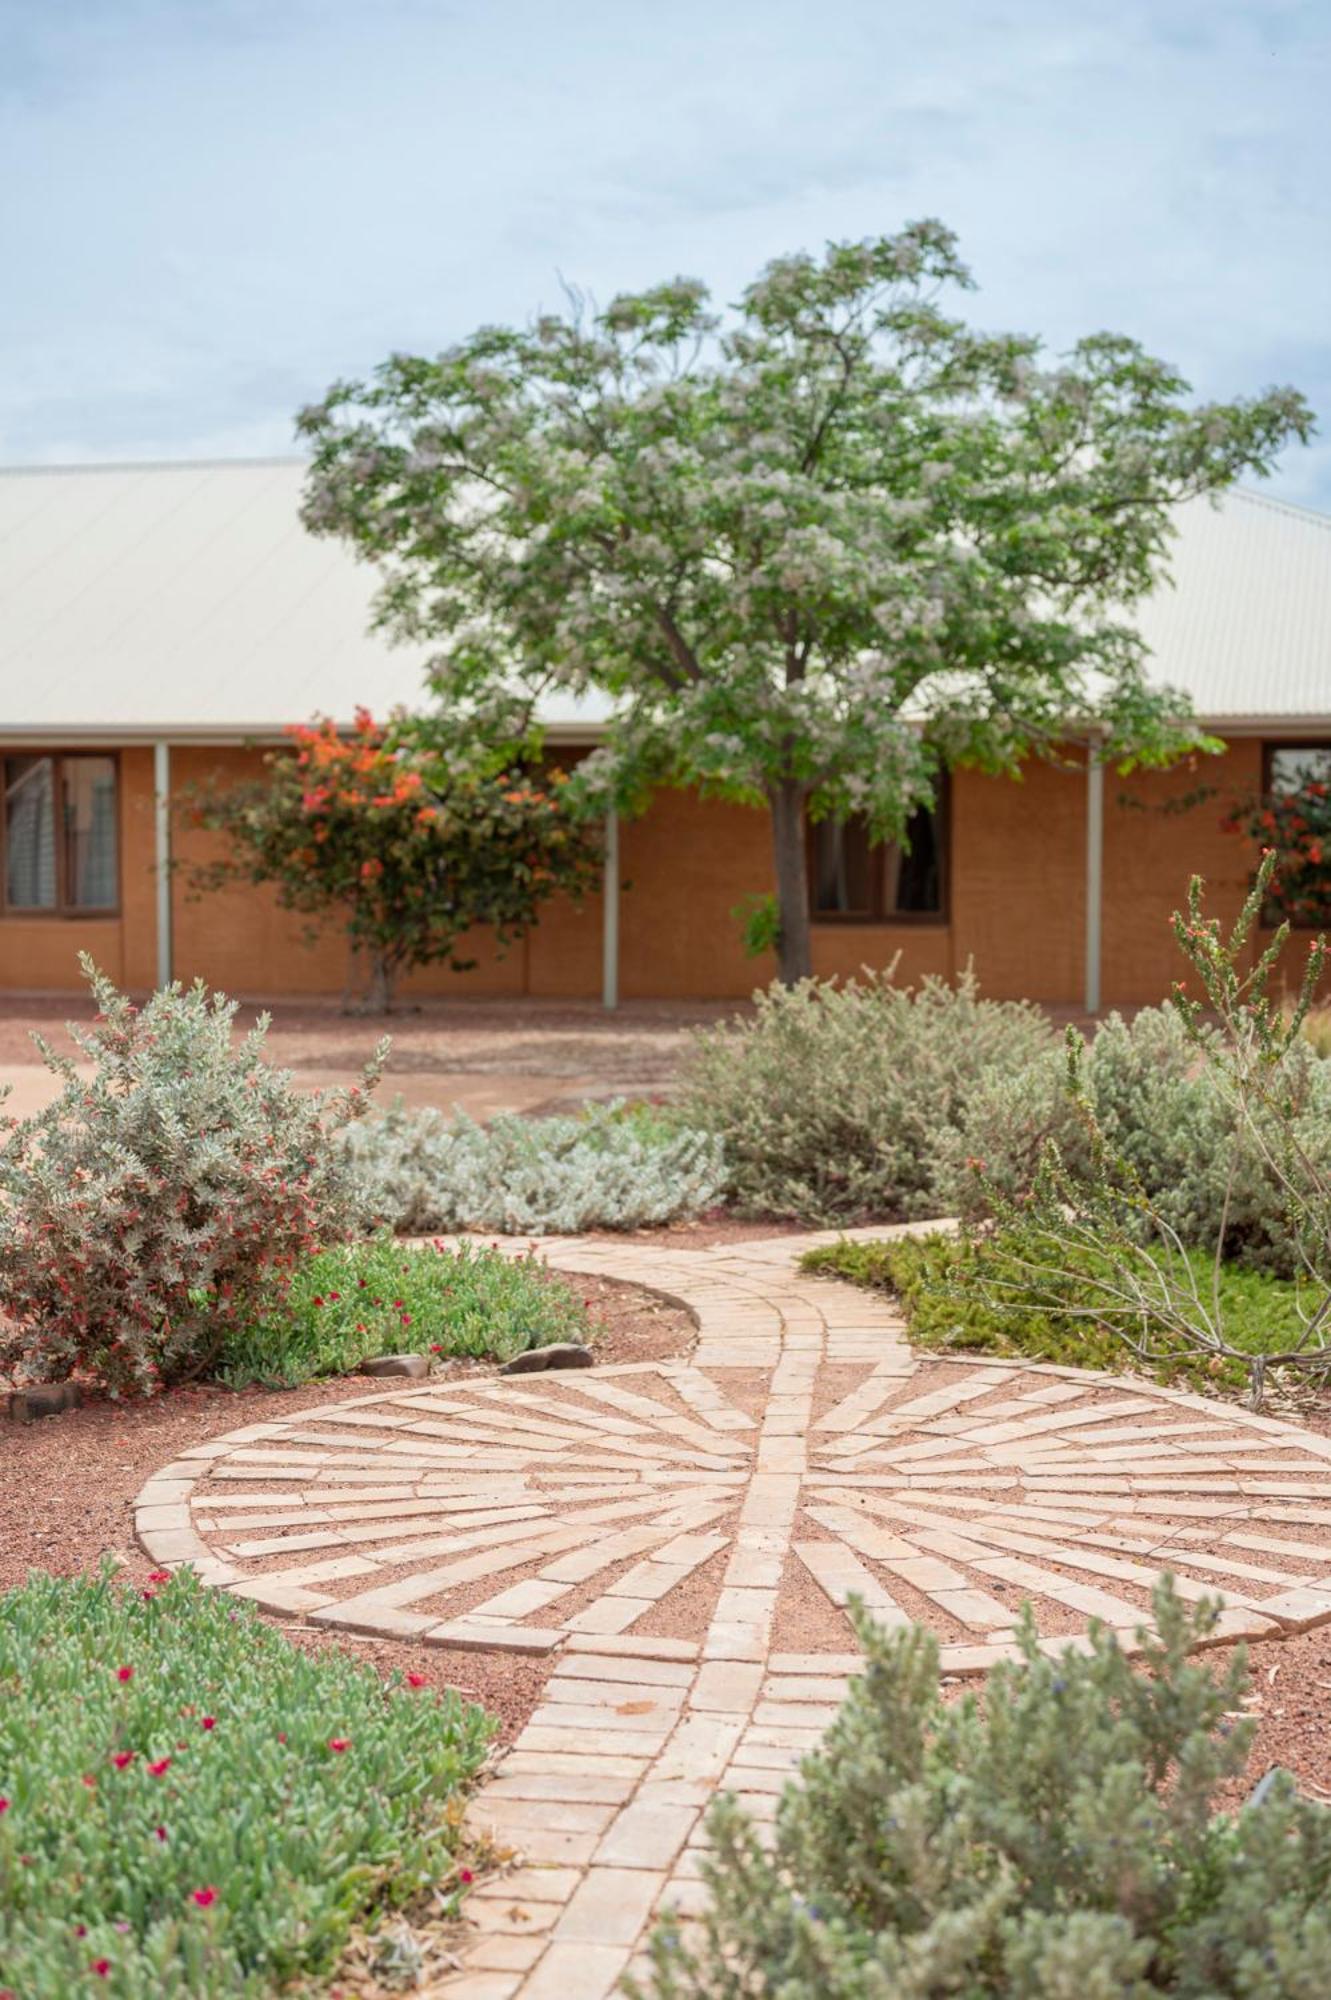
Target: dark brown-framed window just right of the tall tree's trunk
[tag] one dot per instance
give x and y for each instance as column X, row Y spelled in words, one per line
column 860, row 881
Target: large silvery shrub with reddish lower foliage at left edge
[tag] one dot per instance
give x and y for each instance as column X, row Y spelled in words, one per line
column 151, row 1205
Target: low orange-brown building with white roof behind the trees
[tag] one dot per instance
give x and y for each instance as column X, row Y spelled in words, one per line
column 161, row 623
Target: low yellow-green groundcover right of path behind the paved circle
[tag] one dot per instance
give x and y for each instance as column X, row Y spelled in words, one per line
column 948, row 1291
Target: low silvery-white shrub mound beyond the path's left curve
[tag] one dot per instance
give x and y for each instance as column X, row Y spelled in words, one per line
column 613, row 1167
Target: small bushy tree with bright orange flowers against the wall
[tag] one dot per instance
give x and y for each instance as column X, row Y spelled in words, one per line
column 407, row 839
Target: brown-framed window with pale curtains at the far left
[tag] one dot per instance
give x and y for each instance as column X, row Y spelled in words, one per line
column 61, row 835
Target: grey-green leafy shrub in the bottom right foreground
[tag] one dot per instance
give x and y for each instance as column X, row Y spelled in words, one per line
column 1056, row 1841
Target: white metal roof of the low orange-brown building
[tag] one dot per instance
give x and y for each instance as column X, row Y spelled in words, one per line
column 187, row 601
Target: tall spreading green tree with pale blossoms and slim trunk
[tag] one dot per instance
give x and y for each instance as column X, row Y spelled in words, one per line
column 814, row 551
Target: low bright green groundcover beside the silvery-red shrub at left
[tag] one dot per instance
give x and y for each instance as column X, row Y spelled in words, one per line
column 385, row 1297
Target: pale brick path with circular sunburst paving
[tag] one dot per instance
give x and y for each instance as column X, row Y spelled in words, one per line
column 680, row 1537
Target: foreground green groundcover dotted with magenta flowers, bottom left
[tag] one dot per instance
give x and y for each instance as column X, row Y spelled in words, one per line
column 193, row 1807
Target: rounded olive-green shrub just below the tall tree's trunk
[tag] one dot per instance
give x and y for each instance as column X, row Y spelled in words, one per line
column 832, row 1099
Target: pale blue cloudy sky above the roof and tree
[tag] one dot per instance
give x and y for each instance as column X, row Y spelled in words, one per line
column 213, row 209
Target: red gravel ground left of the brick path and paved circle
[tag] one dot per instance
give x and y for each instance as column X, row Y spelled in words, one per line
column 71, row 1485
